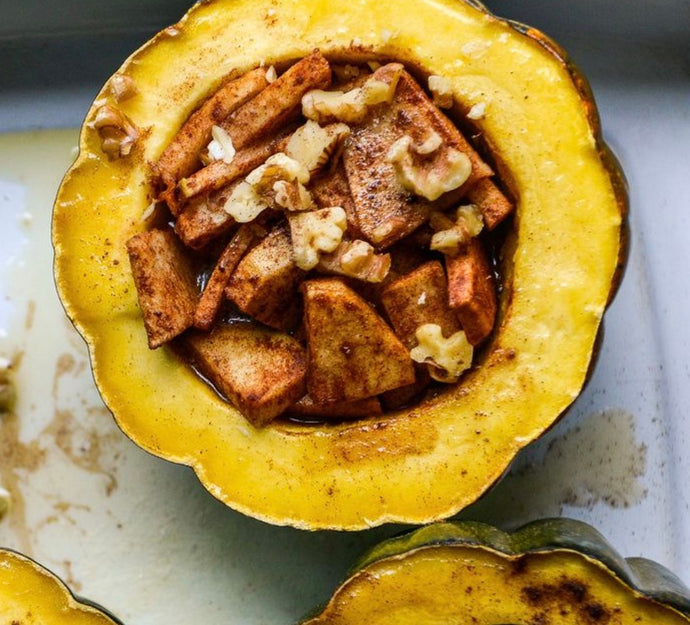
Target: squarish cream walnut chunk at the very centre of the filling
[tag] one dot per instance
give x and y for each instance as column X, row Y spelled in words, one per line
column 315, row 232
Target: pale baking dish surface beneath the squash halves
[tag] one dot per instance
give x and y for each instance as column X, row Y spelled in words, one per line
column 142, row 537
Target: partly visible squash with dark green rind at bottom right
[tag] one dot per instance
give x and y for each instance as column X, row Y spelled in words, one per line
column 551, row 571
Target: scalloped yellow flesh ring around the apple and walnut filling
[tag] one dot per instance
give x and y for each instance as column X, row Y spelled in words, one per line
column 560, row 262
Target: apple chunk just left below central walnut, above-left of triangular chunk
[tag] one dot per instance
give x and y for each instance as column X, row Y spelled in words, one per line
column 265, row 283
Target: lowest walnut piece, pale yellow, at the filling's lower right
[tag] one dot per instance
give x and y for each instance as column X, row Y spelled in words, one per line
column 447, row 357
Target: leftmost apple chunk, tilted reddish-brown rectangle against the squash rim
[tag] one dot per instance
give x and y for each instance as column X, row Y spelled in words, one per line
column 165, row 284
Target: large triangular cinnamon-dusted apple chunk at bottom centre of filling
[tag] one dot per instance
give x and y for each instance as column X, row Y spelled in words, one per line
column 353, row 353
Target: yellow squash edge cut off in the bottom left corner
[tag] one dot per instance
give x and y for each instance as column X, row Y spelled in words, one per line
column 29, row 593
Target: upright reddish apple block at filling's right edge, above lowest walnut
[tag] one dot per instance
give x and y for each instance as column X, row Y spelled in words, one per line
column 472, row 291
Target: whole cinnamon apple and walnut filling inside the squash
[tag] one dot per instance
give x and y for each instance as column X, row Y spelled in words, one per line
column 343, row 214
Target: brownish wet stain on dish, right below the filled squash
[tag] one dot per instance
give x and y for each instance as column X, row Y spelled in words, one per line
column 598, row 461
